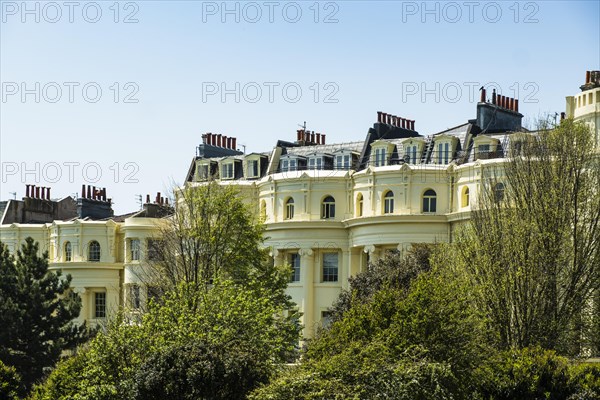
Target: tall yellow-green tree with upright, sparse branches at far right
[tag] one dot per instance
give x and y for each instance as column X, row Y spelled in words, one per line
column 532, row 248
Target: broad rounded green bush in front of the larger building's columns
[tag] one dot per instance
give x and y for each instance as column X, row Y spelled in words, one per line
column 418, row 338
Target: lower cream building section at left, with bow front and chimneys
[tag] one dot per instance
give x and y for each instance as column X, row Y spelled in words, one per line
column 102, row 252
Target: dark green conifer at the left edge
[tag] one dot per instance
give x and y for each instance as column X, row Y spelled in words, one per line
column 36, row 312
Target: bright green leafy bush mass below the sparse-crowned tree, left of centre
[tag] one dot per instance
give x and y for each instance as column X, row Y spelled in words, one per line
column 229, row 337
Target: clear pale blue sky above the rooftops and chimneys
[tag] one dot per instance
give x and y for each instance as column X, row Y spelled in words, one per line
column 117, row 94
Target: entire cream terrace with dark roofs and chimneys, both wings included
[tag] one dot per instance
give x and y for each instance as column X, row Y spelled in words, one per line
column 329, row 209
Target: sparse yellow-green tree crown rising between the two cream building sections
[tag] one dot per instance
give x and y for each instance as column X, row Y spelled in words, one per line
column 213, row 233
